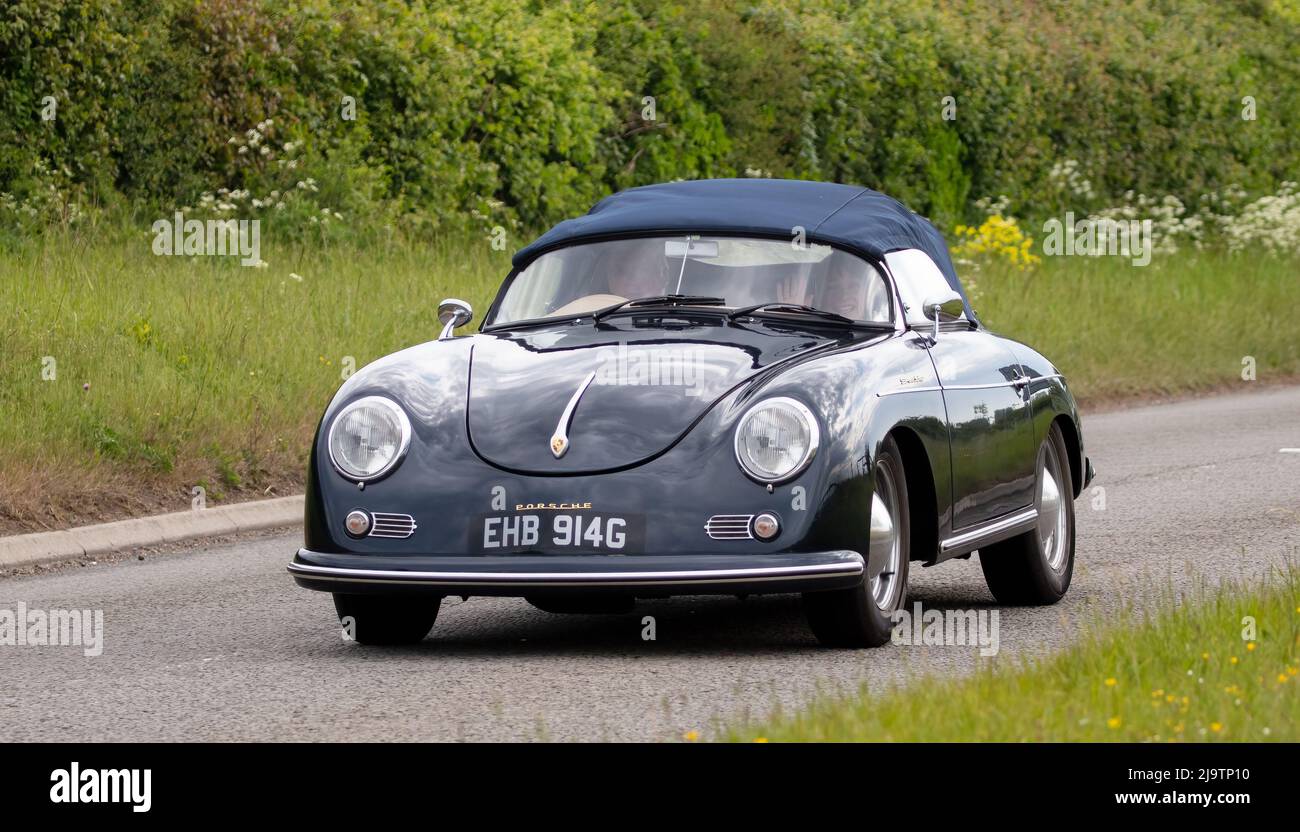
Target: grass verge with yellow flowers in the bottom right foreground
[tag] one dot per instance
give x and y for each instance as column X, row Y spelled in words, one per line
column 1181, row 671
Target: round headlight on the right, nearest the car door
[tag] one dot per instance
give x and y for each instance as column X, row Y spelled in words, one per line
column 775, row 440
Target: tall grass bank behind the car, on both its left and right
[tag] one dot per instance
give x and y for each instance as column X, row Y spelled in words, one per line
column 174, row 372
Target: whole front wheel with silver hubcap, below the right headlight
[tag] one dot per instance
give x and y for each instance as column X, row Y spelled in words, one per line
column 864, row 617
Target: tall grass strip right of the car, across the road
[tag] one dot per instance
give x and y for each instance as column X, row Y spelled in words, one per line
column 1181, row 324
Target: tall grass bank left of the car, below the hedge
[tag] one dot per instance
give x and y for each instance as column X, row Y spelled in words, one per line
column 172, row 372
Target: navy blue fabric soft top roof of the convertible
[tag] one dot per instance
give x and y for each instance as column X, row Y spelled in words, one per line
column 851, row 218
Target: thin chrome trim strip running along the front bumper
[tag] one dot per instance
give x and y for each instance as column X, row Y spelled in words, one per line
column 580, row 579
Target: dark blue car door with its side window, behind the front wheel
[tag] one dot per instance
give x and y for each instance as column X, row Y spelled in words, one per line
column 991, row 432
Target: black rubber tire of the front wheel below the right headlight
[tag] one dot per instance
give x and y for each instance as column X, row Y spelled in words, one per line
column 852, row 618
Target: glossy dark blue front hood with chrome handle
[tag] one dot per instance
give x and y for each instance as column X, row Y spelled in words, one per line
column 648, row 387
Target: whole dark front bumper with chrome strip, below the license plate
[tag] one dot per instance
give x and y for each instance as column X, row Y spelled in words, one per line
column 540, row 575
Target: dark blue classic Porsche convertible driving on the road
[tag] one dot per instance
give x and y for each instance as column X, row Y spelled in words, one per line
column 704, row 388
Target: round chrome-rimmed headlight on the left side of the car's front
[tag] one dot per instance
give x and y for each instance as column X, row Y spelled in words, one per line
column 369, row 439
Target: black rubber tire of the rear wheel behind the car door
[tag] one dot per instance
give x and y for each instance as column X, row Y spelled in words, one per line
column 1020, row 571
